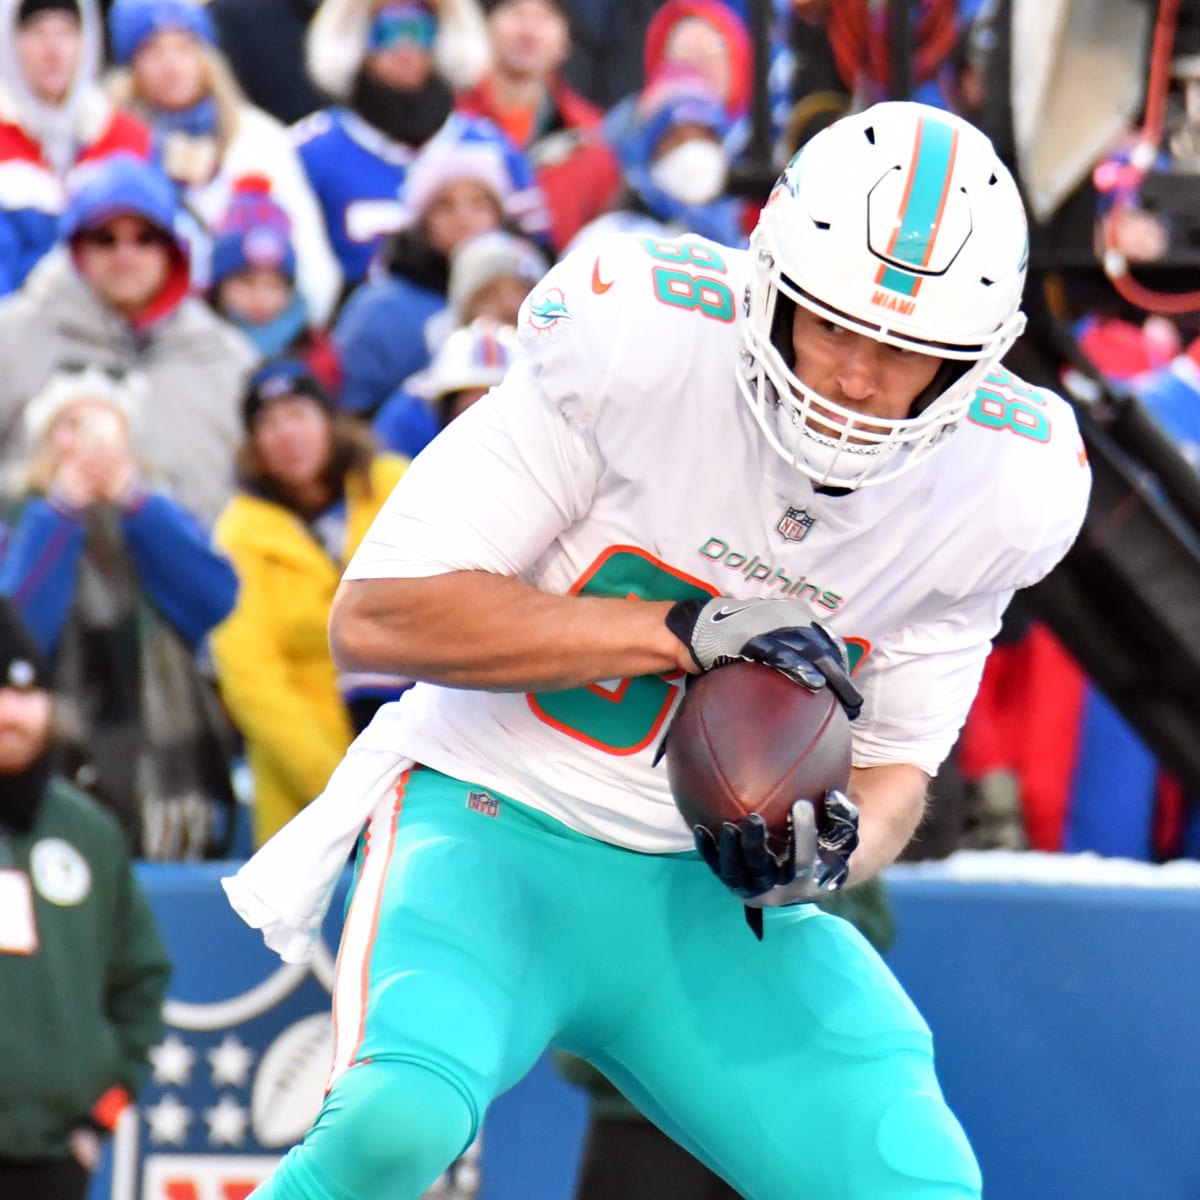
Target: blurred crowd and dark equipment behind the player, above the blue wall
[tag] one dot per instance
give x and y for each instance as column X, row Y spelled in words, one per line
column 256, row 254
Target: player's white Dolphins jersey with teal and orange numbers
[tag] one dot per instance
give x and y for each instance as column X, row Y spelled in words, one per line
column 620, row 459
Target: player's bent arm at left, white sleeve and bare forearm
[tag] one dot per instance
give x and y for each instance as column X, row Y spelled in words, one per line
column 441, row 589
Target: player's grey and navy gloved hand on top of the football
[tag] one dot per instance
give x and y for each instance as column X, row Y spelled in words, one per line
column 779, row 633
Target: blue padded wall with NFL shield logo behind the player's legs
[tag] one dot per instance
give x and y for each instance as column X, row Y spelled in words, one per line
column 1065, row 1016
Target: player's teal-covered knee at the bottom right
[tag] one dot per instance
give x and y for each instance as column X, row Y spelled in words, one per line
column 923, row 1153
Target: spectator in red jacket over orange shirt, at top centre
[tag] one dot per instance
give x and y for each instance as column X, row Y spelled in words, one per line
column 560, row 131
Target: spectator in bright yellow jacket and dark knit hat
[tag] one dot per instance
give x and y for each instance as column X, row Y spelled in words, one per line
column 310, row 484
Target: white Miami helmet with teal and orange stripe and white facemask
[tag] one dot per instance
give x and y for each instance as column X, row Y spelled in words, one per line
column 902, row 224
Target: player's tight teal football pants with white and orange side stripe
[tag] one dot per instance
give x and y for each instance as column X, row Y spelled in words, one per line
column 481, row 932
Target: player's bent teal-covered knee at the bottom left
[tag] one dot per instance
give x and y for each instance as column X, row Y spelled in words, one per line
column 399, row 1126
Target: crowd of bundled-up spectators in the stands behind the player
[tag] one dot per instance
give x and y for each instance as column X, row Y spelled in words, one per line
column 255, row 255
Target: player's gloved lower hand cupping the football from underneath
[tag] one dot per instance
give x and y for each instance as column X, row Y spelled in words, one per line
column 813, row 863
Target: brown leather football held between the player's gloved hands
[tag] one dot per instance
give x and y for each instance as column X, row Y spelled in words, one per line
column 747, row 740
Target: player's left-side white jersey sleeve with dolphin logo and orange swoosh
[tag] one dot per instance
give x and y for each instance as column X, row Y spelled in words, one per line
column 496, row 489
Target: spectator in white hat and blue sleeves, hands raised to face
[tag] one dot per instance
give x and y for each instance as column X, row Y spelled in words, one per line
column 119, row 587
